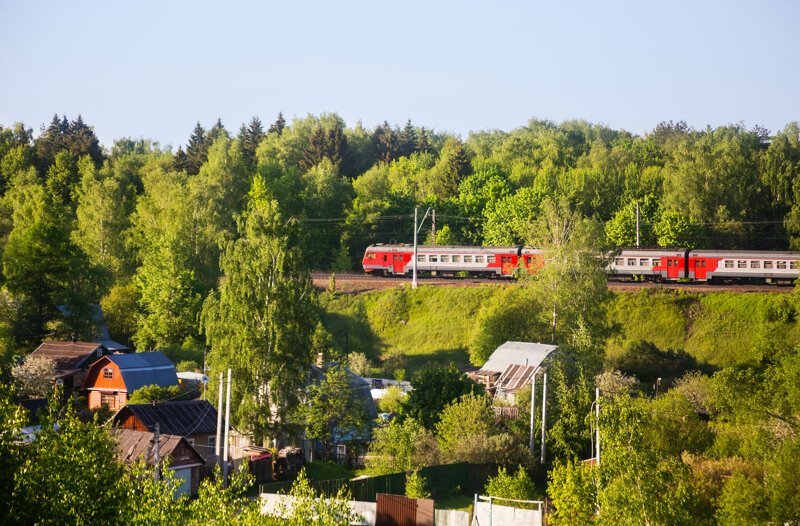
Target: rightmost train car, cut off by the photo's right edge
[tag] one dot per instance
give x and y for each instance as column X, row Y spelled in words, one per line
column 743, row 266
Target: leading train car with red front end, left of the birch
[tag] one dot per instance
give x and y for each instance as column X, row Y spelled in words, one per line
column 434, row 260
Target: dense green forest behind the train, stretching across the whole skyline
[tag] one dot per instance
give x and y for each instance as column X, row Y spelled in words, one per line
column 140, row 228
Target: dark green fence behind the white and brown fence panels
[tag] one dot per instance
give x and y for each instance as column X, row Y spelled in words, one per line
column 442, row 480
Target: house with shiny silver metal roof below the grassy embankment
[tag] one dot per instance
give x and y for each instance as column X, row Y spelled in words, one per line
column 511, row 367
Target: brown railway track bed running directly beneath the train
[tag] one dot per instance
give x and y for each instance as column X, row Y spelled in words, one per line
column 354, row 282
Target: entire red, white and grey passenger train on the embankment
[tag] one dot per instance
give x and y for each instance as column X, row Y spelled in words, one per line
column 639, row 264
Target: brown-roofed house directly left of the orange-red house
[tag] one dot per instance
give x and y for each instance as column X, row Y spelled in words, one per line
column 71, row 360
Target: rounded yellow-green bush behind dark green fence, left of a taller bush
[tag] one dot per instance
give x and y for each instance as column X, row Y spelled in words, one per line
column 403, row 445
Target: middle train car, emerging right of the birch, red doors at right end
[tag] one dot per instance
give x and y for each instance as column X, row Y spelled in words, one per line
column 656, row 264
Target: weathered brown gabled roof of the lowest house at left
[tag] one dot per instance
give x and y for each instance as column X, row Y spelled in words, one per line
column 133, row 445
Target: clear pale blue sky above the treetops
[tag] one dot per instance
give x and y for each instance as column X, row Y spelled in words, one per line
column 153, row 68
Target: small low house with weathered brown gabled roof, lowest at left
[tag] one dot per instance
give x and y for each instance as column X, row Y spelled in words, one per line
column 184, row 460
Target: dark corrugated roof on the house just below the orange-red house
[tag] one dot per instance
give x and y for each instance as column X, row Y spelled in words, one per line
column 175, row 418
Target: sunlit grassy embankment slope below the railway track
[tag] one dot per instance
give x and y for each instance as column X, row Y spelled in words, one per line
column 413, row 328
